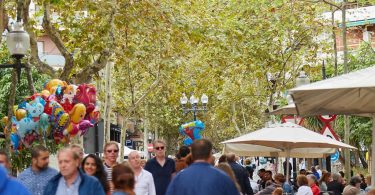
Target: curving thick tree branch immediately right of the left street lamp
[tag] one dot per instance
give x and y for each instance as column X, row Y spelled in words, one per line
column 34, row 58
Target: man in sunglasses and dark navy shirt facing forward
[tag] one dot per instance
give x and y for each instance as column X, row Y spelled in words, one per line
column 161, row 167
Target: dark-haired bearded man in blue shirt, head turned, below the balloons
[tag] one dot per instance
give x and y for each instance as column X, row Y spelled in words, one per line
column 36, row 177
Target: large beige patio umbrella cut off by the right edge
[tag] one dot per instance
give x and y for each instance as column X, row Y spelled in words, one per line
column 352, row 93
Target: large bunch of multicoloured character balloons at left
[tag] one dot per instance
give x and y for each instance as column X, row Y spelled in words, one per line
column 60, row 112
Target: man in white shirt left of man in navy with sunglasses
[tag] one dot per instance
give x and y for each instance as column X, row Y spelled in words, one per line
column 144, row 182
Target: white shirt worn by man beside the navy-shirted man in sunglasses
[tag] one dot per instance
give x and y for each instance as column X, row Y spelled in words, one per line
column 144, row 184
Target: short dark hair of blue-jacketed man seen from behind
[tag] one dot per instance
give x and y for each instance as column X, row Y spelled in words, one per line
column 201, row 149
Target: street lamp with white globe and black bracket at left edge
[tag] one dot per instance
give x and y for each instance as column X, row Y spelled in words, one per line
column 18, row 42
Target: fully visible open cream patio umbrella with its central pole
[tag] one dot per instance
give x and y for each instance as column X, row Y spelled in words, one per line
column 288, row 136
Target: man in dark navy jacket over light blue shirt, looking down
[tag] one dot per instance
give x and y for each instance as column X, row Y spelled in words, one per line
column 71, row 180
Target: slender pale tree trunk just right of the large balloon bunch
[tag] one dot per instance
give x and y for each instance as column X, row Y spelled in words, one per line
column 107, row 103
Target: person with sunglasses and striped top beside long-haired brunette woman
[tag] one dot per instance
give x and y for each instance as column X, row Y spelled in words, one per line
column 111, row 150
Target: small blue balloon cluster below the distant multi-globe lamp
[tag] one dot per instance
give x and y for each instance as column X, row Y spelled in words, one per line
column 192, row 130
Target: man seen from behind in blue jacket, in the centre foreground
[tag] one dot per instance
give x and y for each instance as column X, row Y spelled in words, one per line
column 201, row 177
